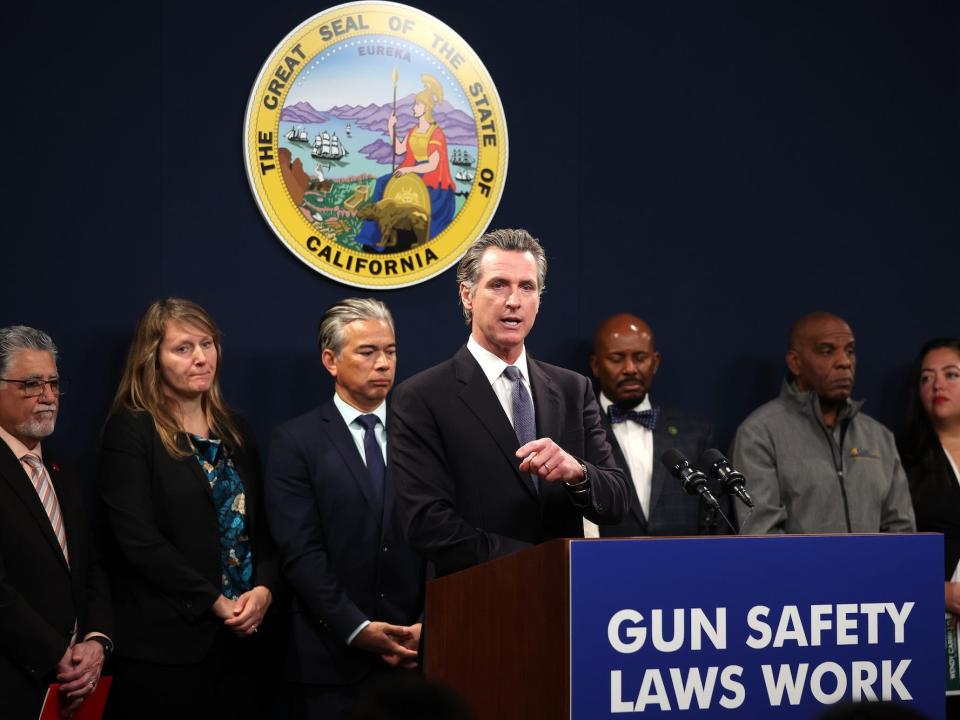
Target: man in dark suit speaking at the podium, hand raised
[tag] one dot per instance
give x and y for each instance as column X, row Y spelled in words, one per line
column 492, row 450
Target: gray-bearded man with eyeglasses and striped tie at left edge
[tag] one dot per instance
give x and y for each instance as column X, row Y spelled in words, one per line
column 55, row 610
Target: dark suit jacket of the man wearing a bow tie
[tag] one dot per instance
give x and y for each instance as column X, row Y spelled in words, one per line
column 672, row 511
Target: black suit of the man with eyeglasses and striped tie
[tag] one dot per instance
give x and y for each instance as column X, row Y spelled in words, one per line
column 40, row 596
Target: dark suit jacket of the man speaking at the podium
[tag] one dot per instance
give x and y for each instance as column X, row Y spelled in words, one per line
column 462, row 496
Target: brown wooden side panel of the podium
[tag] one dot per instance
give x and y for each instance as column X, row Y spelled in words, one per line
column 499, row 634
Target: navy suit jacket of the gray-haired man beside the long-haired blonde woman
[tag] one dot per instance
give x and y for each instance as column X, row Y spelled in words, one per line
column 344, row 562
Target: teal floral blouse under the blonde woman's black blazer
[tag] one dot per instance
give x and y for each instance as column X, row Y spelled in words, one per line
column 229, row 499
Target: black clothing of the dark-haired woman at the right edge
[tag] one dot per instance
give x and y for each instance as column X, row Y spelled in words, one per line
column 936, row 503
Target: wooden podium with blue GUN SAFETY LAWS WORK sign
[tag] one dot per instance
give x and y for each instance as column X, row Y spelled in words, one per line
column 585, row 629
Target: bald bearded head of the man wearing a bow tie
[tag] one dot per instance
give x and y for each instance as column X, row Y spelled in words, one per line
column 624, row 359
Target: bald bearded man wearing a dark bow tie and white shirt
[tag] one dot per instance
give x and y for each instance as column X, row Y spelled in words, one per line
column 624, row 362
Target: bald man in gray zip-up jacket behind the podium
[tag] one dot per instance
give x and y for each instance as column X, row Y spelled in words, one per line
column 813, row 462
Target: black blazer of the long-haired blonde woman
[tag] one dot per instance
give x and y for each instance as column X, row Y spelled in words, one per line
column 163, row 541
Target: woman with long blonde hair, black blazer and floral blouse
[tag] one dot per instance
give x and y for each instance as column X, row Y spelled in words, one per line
column 191, row 562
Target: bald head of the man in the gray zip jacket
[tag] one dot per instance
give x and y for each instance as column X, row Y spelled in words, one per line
column 822, row 356
